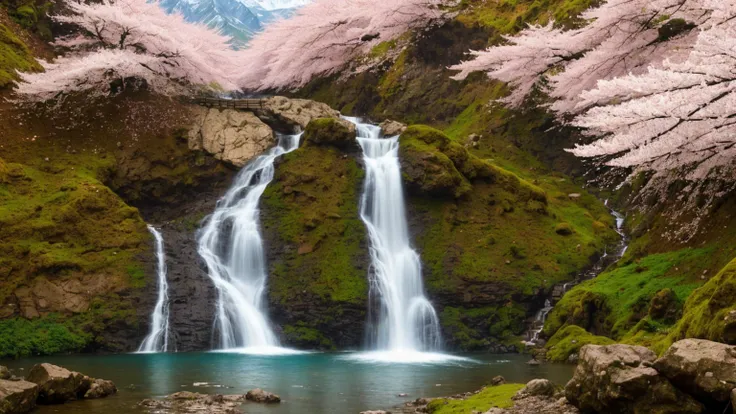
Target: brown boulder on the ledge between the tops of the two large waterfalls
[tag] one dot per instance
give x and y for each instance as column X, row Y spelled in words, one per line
column 292, row 115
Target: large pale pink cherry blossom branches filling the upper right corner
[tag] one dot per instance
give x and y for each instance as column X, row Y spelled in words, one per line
column 654, row 80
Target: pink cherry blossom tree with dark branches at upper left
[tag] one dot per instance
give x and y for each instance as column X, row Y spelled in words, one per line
column 132, row 39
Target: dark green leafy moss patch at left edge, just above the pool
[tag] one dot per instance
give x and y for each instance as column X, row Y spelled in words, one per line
column 46, row 336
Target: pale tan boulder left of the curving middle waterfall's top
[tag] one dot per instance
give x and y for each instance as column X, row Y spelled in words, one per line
column 230, row 135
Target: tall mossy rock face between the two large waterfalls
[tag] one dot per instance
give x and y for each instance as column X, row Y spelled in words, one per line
column 317, row 248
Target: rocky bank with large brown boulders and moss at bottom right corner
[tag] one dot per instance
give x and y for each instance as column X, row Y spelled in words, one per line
column 692, row 376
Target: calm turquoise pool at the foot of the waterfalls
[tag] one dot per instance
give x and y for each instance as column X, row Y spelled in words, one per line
column 307, row 383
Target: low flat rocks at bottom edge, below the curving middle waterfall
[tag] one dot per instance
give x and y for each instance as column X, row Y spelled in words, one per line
column 186, row 402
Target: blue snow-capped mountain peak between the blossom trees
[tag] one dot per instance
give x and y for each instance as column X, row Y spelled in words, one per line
column 239, row 19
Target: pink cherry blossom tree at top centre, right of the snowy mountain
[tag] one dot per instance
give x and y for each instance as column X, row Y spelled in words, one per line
column 326, row 35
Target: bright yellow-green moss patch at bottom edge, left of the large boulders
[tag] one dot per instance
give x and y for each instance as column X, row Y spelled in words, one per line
column 497, row 396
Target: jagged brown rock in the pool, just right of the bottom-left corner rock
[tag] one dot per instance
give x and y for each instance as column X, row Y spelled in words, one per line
column 57, row 385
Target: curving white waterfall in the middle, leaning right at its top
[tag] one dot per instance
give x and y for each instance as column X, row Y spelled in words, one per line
column 231, row 245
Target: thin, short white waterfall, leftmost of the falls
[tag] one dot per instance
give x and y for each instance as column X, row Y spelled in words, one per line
column 158, row 337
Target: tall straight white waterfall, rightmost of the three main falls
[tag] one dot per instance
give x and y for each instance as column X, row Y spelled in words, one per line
column 405, row 320
